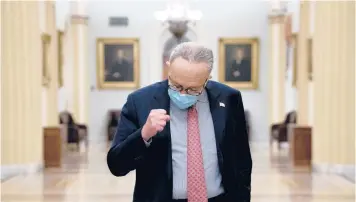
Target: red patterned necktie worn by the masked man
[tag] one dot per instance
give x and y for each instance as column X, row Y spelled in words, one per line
column 196, row 176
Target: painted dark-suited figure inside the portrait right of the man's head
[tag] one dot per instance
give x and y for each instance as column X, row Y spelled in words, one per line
column 239, row 69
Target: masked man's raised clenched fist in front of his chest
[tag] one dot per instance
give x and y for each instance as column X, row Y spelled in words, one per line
column 155, row 123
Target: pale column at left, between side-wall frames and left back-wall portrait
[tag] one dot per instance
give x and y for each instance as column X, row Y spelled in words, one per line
column 79, row 85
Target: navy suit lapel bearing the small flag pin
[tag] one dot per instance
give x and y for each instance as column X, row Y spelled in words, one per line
column 218, row 111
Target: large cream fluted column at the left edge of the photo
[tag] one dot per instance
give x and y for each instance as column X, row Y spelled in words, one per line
column 21, row 144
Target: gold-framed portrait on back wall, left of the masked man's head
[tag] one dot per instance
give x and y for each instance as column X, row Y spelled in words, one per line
column 118, row 63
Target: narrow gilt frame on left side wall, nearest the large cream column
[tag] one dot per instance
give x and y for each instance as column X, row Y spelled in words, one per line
column 46, row 41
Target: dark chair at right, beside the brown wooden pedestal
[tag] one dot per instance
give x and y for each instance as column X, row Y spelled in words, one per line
column 279, row 131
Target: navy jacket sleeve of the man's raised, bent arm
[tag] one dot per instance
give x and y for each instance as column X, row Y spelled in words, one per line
column 128, row 147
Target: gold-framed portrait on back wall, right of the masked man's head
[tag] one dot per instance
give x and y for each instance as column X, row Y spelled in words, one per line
column 239, row 62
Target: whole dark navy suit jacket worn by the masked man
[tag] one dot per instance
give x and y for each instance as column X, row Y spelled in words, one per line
column 153, row 165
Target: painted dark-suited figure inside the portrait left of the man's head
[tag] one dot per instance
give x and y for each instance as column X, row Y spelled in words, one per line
column 120, row 70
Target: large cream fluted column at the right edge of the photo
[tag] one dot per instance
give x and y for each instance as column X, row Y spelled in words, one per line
column 334, row 86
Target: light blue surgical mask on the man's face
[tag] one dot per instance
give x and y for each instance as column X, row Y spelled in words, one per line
column 182, row 101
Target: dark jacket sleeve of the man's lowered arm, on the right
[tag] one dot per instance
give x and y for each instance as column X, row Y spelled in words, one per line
column 243, row 154
